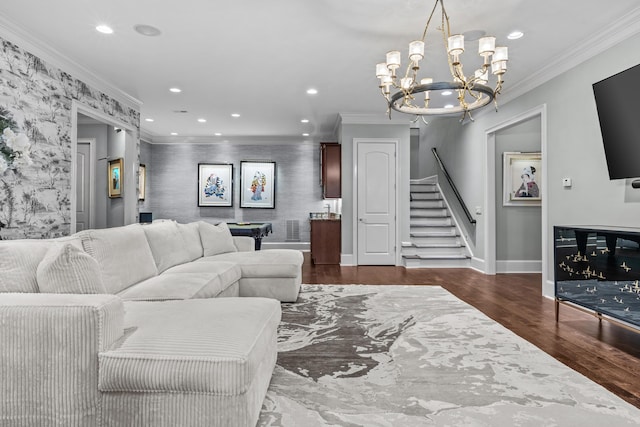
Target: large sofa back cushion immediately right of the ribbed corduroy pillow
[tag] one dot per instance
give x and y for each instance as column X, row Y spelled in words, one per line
column 123, row 255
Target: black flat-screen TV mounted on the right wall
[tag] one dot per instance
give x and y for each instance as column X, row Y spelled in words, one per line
column 617, row 103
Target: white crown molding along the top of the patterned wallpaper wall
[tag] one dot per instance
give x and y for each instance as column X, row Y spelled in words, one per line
column 16, row 35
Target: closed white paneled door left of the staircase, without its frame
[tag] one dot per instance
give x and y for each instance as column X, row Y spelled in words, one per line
column 376, row 192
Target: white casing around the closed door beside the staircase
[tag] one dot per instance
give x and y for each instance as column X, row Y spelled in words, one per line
column 356, row 143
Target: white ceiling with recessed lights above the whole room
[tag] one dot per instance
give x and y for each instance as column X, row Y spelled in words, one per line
column 258, row 58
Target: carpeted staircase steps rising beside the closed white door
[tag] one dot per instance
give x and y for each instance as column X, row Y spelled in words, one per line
column 435, row 238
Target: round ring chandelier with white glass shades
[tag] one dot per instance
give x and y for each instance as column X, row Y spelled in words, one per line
column 472, row 91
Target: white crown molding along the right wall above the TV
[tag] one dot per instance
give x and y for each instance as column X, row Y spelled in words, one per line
column 613, row 34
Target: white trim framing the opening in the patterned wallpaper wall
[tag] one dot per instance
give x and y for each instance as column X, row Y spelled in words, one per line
column 78, row 107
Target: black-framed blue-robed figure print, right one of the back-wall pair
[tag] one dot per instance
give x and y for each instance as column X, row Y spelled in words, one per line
column 258, row 184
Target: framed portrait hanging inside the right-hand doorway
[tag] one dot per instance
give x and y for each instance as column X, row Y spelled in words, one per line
column 521, row 183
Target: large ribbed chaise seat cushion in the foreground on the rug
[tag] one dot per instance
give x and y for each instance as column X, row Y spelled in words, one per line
column 212, row 346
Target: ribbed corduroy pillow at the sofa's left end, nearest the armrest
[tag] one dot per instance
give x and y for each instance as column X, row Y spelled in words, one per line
column 66, row 269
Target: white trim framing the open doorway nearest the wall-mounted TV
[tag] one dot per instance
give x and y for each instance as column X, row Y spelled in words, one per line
column 490, row 189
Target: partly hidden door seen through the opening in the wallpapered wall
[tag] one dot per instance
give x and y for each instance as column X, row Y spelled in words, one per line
column 85, row 164
